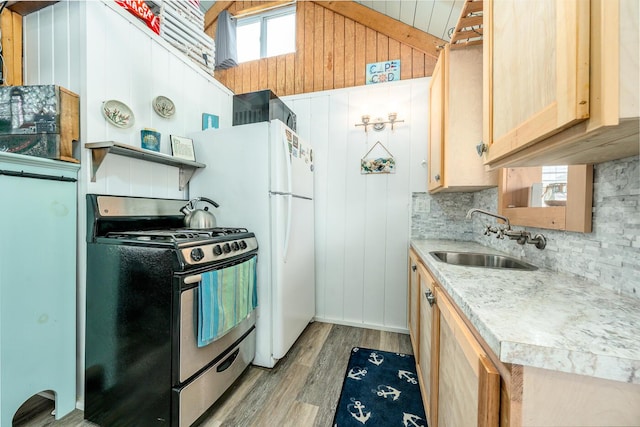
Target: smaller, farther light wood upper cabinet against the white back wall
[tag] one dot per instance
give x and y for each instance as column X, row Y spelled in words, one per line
column 455, row 123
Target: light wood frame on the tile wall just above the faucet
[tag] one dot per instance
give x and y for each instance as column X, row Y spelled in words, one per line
column 553, row 197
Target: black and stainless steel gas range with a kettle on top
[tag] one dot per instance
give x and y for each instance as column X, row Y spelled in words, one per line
column 144, row 363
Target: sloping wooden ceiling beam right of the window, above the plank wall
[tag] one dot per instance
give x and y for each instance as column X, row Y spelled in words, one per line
column 395, row 29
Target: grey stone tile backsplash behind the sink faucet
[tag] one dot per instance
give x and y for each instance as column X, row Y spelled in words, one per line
column 609, row 255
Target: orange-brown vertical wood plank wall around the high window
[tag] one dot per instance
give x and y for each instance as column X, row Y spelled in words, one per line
column 331, row 53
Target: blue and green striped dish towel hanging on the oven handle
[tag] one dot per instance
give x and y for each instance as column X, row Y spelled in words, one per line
column 226, row 297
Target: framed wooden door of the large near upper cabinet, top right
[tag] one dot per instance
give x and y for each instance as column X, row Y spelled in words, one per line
column 537, row 70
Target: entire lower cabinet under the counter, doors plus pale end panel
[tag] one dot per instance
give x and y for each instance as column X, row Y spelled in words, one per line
column 463, row 383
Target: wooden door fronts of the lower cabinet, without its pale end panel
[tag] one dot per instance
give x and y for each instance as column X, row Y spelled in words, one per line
column 459, row 383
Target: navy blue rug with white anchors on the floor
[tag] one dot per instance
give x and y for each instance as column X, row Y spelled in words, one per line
column 380, row 389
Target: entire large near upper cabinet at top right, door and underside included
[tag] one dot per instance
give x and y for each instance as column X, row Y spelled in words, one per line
column 560, row 81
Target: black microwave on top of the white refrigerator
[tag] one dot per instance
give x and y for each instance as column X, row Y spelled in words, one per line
column 261, row 106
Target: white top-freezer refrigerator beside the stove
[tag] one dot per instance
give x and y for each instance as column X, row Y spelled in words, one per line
column 261, row 174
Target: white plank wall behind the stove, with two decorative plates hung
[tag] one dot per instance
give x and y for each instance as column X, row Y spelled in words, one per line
column 101, row 52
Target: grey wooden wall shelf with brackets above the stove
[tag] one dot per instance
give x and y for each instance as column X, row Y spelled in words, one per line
column 99, row 151
